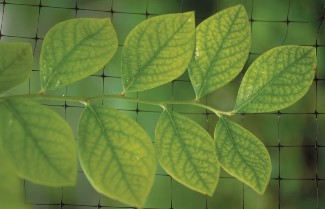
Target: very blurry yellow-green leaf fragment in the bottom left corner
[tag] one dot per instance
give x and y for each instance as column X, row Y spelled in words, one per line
column 11, row 187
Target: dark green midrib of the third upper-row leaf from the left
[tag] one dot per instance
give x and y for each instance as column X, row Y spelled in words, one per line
column 158, row 51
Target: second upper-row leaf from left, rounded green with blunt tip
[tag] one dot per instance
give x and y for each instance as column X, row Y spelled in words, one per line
column 74, row 49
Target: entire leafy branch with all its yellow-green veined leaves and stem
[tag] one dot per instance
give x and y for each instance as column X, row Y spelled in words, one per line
column 116, row 154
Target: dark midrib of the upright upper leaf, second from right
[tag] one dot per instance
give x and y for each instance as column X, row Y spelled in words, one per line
column 216, row 57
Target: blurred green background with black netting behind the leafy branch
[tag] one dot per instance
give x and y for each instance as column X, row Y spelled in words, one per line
column 295, row 137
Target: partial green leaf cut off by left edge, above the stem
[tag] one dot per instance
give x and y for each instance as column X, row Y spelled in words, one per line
column 16, row 64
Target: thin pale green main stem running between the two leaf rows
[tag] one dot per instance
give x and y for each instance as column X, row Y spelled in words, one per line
column 86, row 100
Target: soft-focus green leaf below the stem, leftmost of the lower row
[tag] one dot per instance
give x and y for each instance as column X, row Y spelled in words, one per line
column 39, row 142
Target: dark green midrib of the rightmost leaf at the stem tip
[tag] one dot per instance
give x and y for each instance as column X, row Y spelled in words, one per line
column 257, row 93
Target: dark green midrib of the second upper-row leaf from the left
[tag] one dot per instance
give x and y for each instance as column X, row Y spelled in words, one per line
column 65, row 57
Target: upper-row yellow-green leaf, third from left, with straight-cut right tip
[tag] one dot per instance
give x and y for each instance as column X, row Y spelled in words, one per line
column 157, row 51
